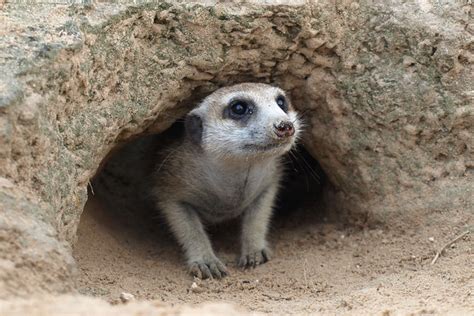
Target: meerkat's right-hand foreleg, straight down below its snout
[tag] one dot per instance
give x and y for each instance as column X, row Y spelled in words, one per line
column 256, row 220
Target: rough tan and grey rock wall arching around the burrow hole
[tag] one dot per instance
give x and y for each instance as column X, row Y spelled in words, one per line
column 386, row 91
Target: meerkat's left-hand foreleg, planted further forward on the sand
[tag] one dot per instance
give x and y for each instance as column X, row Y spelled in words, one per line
column 189, row 230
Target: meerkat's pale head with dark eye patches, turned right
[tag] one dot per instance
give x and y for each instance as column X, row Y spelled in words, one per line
column 244, row 121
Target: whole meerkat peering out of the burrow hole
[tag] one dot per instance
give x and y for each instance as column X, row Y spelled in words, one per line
column 227, row 165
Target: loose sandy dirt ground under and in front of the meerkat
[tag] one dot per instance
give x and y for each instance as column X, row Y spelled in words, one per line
column 319, row 265
